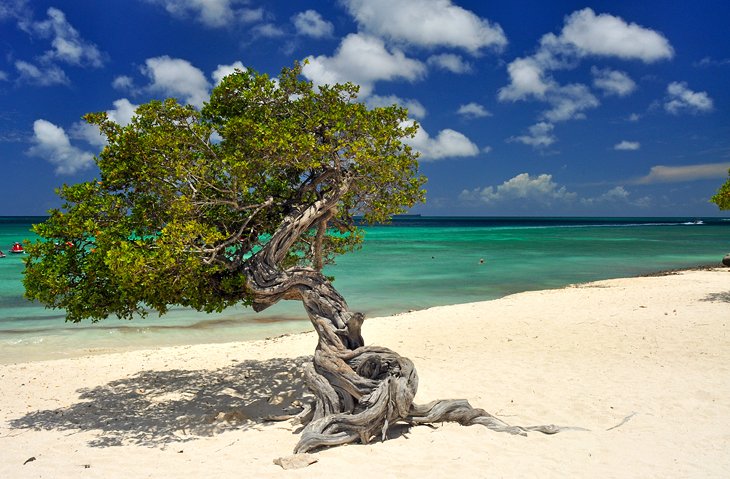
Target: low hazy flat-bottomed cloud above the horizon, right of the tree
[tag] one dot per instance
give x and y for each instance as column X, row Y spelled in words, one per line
column 539, row 189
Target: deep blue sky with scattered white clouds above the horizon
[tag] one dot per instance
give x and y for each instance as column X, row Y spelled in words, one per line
column 527, row 107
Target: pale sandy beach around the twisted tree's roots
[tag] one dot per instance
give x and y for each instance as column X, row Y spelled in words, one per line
column 642, row 364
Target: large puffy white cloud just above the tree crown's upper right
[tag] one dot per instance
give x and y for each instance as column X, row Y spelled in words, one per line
column 364, row 60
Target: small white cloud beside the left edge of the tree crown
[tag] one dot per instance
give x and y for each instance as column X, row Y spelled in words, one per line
column 52, row 144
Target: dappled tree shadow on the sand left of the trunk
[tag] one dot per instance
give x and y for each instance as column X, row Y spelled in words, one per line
column 154, row 408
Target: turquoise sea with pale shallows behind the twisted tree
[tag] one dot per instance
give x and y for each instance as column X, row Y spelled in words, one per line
column 414, row 262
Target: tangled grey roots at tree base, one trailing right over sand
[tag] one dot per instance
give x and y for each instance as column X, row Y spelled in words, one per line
column 385, row 390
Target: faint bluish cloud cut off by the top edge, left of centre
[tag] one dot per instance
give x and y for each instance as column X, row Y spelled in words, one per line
column 211, row 13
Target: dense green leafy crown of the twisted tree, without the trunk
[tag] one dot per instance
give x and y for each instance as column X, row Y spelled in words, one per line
column 186, row 197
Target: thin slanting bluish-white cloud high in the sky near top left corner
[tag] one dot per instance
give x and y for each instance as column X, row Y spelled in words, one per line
column 68, row 46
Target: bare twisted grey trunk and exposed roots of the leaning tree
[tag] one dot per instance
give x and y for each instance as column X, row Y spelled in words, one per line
column 359, row 390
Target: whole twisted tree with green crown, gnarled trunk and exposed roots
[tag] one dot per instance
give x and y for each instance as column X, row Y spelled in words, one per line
column 244, row 202
